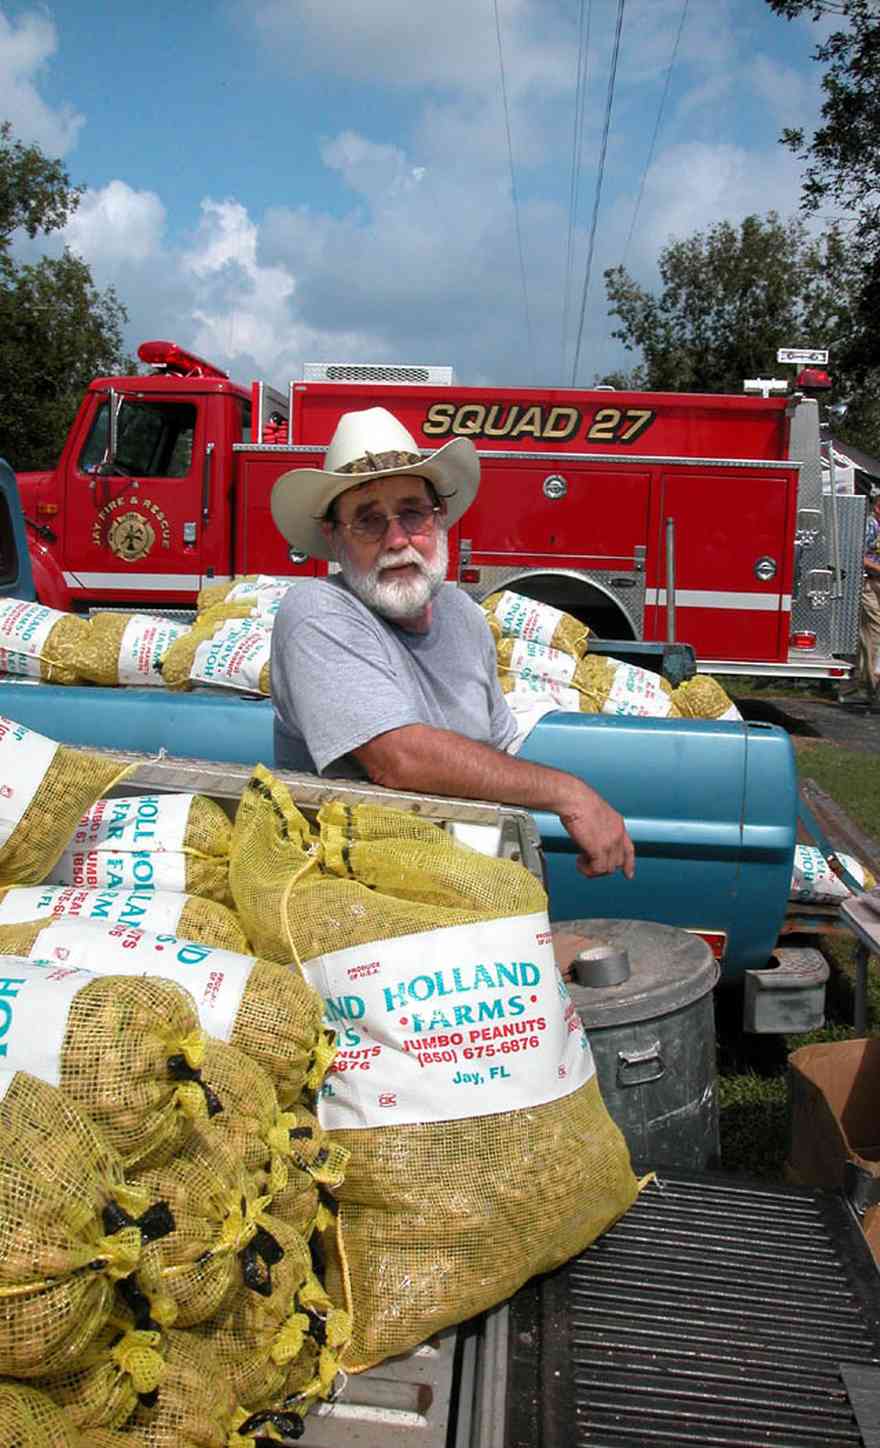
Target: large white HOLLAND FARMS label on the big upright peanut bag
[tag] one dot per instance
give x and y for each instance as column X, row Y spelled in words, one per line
column 461, row 1022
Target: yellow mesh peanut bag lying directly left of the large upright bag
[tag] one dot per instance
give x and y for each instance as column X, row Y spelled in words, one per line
column 263, row 1009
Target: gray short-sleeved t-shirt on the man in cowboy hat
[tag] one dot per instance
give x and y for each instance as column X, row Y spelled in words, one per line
column 342, row 675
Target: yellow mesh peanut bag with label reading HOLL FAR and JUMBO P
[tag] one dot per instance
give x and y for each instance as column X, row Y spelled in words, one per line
column 147, row 842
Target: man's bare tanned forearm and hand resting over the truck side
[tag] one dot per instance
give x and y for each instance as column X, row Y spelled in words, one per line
column 433, row 761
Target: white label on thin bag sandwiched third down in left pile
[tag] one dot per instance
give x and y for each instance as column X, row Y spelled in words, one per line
column 144, row 910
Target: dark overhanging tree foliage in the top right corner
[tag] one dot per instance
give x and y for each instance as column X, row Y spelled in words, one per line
column 843, row 156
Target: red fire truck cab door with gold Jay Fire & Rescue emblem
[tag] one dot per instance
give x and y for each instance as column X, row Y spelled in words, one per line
column 138, row 531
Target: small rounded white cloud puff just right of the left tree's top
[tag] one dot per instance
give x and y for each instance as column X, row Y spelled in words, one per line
column 117, row 227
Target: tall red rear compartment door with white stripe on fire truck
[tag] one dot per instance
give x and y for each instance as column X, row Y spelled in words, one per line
column 727, row 526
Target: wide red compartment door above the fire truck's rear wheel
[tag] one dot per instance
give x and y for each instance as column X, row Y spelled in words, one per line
column 559, row 513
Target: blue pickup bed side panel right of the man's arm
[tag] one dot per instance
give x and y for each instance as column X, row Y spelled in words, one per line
column 710, row 804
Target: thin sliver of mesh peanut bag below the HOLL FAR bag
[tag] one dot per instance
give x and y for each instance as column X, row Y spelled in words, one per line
column 192, row 917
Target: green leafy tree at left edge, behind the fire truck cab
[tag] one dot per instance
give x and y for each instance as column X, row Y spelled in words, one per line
column 57, row 329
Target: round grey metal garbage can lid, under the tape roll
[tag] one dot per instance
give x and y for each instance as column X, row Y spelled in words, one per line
column 669, row 969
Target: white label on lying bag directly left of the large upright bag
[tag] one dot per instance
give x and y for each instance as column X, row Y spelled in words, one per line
column 216, row 980
